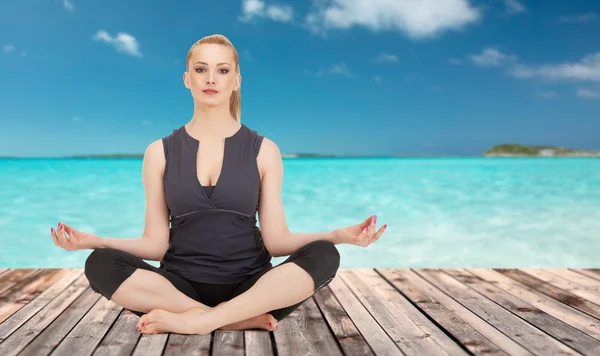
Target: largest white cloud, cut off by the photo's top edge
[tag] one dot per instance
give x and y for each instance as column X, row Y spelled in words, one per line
column 417, row 19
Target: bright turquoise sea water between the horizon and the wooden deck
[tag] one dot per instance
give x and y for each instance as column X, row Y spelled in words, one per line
column 441, row 212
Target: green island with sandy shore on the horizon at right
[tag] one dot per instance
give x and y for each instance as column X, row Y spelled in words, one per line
column 516, row 150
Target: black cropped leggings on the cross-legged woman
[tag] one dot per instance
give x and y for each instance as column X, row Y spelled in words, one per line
column 106, row 269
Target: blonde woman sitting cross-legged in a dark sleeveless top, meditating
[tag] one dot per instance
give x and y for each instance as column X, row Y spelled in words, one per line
column 204, row 184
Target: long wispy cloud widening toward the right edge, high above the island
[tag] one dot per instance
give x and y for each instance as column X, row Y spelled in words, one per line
column 587, row 69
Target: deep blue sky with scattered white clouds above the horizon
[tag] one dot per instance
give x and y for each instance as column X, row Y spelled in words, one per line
column 451, row 77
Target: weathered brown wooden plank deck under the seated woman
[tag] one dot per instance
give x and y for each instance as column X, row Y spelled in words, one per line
column 361, row 312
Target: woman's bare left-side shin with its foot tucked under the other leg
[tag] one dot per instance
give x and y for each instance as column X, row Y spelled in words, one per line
column 140, row 292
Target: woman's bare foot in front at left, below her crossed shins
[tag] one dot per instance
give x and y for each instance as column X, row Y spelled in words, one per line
column 161, row 321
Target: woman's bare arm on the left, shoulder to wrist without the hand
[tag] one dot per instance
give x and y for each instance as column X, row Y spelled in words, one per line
column 153, row 244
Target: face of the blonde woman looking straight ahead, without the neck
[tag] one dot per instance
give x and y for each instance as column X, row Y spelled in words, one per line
column 211, row 66
